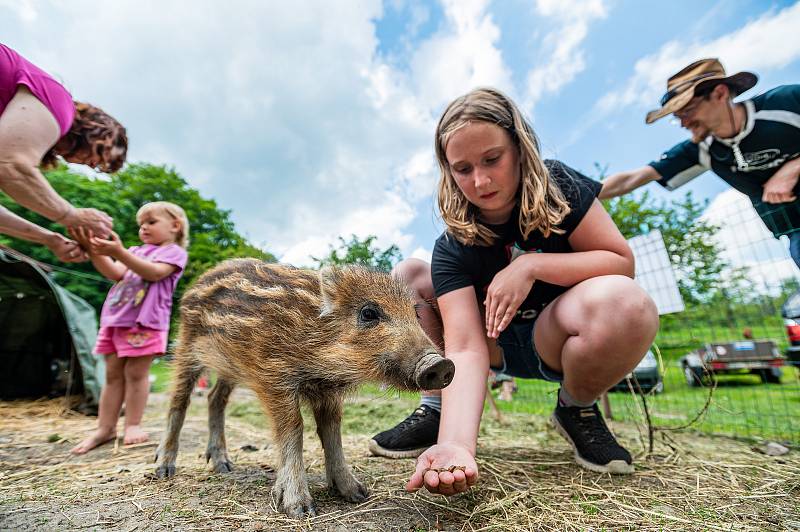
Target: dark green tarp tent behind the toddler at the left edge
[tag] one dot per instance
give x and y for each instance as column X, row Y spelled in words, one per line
column 46, row 337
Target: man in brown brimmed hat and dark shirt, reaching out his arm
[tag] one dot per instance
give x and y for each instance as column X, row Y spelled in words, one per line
column 753, row 145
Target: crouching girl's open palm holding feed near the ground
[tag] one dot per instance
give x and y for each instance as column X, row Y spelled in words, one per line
column 446, row 469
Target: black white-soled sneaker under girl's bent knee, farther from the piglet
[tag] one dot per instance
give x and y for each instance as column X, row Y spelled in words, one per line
column 595, row 447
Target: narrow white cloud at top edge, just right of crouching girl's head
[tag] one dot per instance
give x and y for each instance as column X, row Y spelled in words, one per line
column 564, row 55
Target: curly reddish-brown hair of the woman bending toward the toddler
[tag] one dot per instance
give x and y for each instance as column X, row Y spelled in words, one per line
column 93, row 131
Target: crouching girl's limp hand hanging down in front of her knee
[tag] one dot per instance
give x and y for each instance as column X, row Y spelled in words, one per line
column 507, row 291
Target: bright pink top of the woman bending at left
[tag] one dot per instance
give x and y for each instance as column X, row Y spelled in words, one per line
column 15, row 70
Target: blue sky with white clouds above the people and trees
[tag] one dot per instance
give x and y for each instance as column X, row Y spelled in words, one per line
column 312, row 120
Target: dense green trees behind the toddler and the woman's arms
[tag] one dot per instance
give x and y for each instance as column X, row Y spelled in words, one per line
column 212, row 234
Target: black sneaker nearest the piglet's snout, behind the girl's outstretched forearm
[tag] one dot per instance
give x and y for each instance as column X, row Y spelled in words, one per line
column 410, row 437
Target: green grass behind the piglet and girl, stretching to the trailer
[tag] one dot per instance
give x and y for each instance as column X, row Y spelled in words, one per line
column 741, row 405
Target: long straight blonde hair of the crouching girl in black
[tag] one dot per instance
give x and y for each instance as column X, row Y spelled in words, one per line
column 542, row 204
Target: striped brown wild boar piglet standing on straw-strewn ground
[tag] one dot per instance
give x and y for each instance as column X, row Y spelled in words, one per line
column 293, row 335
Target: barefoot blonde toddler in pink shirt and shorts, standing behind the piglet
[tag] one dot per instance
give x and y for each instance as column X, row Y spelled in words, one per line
column 134, row 322
